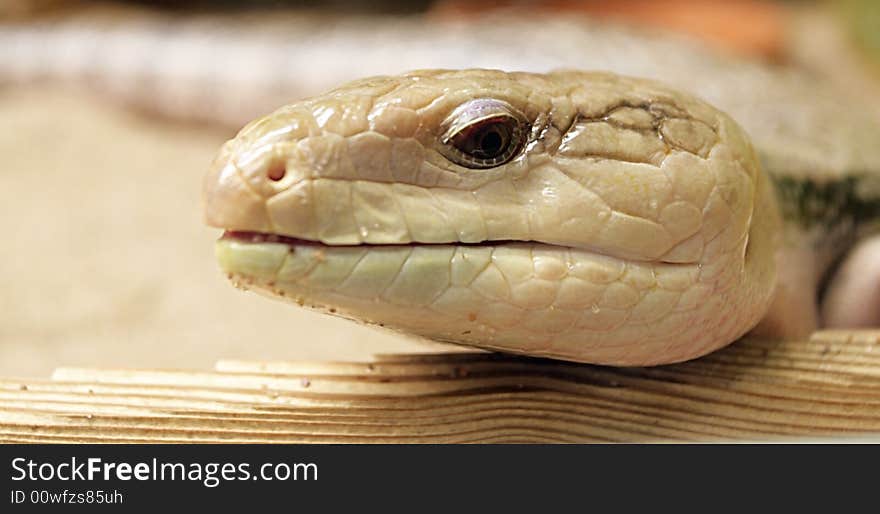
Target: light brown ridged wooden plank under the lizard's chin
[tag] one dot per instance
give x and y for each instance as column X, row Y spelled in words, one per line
column 754, row 390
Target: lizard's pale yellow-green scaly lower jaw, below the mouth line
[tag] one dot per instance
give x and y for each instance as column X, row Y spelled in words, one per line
column 524, row 297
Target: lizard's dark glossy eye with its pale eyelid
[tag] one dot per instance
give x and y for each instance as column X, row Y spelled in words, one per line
column 483, row 133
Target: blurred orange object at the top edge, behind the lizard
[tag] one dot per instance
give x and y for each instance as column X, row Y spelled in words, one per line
column 749, row 27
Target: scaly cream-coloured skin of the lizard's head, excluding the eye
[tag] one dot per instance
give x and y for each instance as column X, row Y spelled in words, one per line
column 635, row 227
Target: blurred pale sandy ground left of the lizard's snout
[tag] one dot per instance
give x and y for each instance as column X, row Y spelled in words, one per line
column 106, row 262
